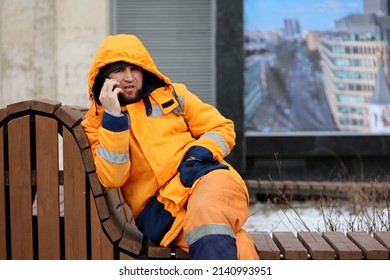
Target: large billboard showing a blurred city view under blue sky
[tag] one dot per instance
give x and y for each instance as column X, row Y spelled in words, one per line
column 316, row 66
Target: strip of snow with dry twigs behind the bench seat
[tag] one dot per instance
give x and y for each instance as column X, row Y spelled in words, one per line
column 311, row 216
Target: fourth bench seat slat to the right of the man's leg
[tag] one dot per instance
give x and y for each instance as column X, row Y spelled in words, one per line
column 345, row 249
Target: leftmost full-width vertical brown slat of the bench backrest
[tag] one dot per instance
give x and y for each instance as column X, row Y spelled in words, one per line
column 20, row 188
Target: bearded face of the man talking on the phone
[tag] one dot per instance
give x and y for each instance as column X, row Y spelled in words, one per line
column 130, row 79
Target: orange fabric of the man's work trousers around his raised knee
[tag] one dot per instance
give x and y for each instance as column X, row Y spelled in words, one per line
column 218, row 199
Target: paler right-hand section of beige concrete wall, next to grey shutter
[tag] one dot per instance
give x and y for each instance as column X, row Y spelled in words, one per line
column 81, row 27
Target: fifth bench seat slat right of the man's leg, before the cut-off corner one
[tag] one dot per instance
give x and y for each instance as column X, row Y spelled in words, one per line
column 371, row 248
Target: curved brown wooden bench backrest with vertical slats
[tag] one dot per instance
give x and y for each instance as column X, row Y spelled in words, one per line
column 47, row 208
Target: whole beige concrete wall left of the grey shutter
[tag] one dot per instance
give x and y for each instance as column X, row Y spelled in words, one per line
column 47, row 46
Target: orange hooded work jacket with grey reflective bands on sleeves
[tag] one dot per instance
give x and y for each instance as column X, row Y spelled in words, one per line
column 151, row 150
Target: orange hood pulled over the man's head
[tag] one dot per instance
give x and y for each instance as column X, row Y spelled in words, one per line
column 123, row 48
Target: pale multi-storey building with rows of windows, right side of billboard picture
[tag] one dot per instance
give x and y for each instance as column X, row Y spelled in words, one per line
column 353, row 55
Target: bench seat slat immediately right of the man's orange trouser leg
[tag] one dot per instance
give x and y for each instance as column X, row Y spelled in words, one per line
column 265, row 246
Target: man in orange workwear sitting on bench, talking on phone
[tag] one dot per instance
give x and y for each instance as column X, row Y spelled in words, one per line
column 165, row 149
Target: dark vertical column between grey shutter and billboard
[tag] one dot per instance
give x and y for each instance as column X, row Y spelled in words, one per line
column 230, row 72
